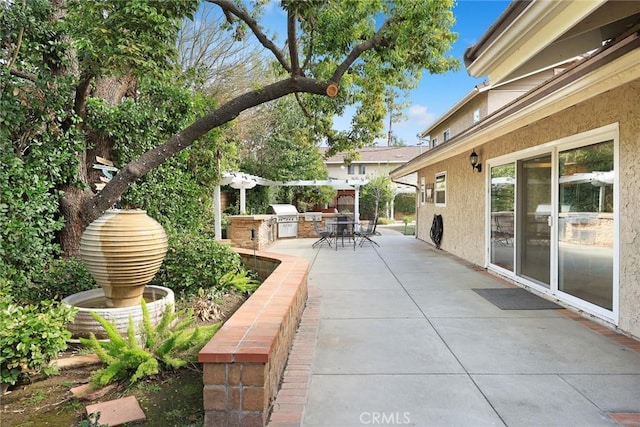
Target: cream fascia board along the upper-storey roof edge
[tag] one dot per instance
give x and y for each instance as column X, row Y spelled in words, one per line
column 542, row 23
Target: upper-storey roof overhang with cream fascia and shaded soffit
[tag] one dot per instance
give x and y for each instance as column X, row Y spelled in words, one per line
column 532, row 34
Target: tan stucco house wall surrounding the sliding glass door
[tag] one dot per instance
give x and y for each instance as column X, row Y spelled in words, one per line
column 465, row 238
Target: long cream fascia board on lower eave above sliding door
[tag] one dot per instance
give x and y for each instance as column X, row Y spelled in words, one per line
column 614, row 74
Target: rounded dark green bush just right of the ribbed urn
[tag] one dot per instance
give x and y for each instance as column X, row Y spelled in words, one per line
column 197, row 261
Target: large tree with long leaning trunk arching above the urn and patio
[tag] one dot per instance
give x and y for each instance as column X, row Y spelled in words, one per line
column 340, row 52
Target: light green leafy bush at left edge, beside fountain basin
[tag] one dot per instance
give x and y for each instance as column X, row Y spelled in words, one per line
column 31, row 336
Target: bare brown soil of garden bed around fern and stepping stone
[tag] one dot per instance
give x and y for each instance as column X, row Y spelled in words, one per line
column 170, row 399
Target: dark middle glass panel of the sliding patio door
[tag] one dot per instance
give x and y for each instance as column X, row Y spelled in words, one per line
column 534, row 230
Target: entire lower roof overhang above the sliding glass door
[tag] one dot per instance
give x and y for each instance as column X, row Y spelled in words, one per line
column 613, row 66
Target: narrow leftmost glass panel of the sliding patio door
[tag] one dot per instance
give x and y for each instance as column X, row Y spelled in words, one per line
column 502, row 220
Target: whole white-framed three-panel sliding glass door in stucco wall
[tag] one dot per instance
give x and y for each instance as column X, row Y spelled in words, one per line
column 552, row 219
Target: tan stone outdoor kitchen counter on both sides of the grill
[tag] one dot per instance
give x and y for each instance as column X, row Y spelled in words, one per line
column 266, row 228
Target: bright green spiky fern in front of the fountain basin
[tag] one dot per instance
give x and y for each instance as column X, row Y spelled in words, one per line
column 169, row 345
